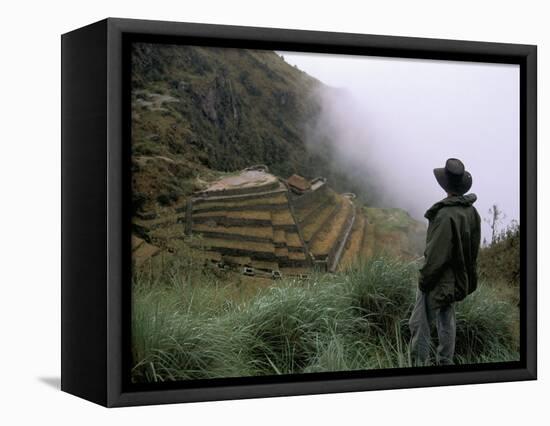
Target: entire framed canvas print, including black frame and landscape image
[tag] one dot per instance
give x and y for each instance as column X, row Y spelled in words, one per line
column 252, row 212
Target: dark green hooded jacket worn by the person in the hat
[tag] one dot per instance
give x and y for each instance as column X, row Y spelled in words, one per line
column 449, row 272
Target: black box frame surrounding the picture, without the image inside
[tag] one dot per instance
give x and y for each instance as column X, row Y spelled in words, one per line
column 95, row 213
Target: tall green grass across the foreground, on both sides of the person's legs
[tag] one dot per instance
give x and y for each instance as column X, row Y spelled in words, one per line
column 193, row 326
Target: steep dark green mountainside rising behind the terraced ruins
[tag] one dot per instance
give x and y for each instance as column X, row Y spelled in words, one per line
column 202, row 113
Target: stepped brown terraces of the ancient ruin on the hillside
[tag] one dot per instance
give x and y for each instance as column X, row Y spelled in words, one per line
column 263, row 225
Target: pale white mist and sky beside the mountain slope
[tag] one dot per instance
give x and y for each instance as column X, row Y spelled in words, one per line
column 392, row 121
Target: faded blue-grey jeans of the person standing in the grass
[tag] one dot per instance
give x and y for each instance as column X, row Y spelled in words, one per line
column 422, row 317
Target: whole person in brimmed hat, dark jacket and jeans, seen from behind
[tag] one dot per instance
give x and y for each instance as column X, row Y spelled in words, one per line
column 449, row 272
